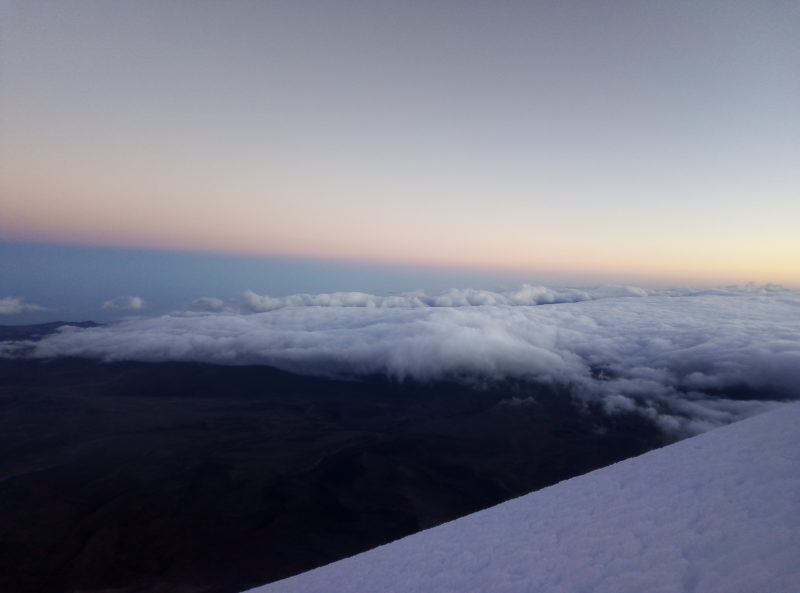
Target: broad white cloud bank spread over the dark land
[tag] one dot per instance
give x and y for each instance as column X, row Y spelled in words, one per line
column 689, row 360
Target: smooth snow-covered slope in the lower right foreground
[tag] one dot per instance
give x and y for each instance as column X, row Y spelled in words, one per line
column 719, row 512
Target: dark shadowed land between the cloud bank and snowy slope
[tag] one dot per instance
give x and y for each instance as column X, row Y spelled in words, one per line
column 155, row 477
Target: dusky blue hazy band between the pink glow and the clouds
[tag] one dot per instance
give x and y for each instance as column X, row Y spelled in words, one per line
column 73, row 282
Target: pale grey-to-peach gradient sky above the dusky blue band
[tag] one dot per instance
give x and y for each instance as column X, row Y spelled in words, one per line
column 658, row 140
